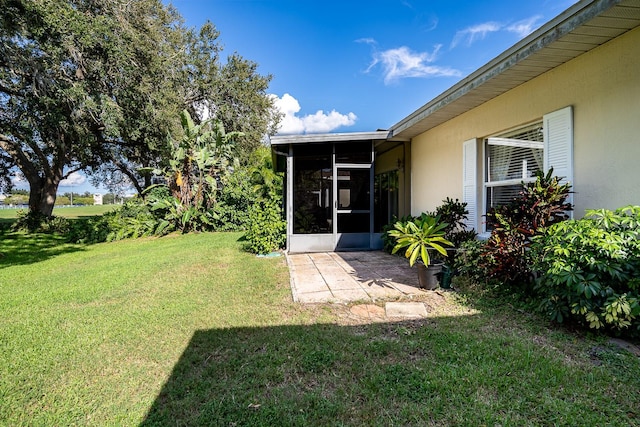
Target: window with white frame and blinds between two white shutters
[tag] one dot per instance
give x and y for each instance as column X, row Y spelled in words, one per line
column 511, row 159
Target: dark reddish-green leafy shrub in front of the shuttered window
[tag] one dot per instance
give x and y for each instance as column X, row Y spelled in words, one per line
column 538, row 206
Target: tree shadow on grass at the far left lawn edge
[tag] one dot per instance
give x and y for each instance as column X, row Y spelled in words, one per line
column 22, row 249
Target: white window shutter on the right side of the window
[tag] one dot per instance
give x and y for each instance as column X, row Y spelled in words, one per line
column 558, row 144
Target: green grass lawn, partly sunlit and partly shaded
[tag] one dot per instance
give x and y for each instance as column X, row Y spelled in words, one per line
column 190, row 330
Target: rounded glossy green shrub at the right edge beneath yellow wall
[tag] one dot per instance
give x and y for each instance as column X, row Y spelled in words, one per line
column 590, row 270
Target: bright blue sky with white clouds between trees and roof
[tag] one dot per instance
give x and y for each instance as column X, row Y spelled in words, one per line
column 348, row 66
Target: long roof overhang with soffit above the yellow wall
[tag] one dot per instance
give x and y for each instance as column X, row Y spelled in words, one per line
column 581, row 28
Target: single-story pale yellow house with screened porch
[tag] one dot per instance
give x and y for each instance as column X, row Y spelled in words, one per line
column 567, row 96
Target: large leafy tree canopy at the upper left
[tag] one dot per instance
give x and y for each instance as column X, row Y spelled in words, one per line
column 97, row 86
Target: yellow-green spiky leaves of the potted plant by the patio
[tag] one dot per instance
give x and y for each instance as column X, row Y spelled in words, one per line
column 419, row 237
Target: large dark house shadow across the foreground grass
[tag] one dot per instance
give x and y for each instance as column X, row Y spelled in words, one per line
column 436, row 371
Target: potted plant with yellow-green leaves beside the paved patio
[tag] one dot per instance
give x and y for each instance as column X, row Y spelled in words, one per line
column 419, row 237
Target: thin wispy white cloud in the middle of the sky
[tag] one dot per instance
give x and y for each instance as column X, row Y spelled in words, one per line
column 402, row 62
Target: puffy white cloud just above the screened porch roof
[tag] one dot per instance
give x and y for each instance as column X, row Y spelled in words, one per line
column 320, row 122
